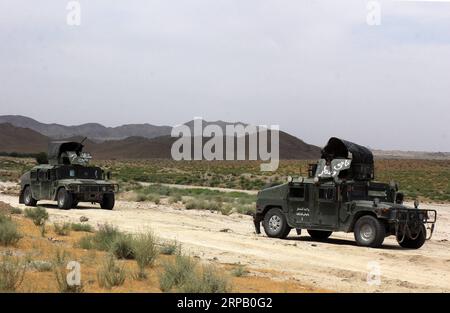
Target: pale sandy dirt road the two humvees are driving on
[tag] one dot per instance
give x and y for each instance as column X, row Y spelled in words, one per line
column 336, row 265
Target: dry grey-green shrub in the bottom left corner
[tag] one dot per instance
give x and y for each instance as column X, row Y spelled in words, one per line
column 12, row 271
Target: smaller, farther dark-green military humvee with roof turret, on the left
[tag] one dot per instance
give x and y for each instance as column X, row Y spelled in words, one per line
column 68, row 179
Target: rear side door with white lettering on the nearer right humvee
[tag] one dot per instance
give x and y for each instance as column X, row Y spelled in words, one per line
column 298, row 204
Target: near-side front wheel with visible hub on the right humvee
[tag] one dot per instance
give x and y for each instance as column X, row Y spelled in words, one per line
column 369, row 232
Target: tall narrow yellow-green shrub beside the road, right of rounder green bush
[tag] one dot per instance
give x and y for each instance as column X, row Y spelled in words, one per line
column 145, row 251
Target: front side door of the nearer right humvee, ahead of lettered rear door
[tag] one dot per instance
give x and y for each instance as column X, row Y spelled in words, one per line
column 328, row 209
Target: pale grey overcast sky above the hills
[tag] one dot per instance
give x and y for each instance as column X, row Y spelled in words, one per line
column 316, row 68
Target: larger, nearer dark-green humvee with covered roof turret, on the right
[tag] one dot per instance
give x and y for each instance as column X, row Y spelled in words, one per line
column 340, row 194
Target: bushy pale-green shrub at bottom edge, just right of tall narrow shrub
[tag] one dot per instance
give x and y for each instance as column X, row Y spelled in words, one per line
column 176, row 273
